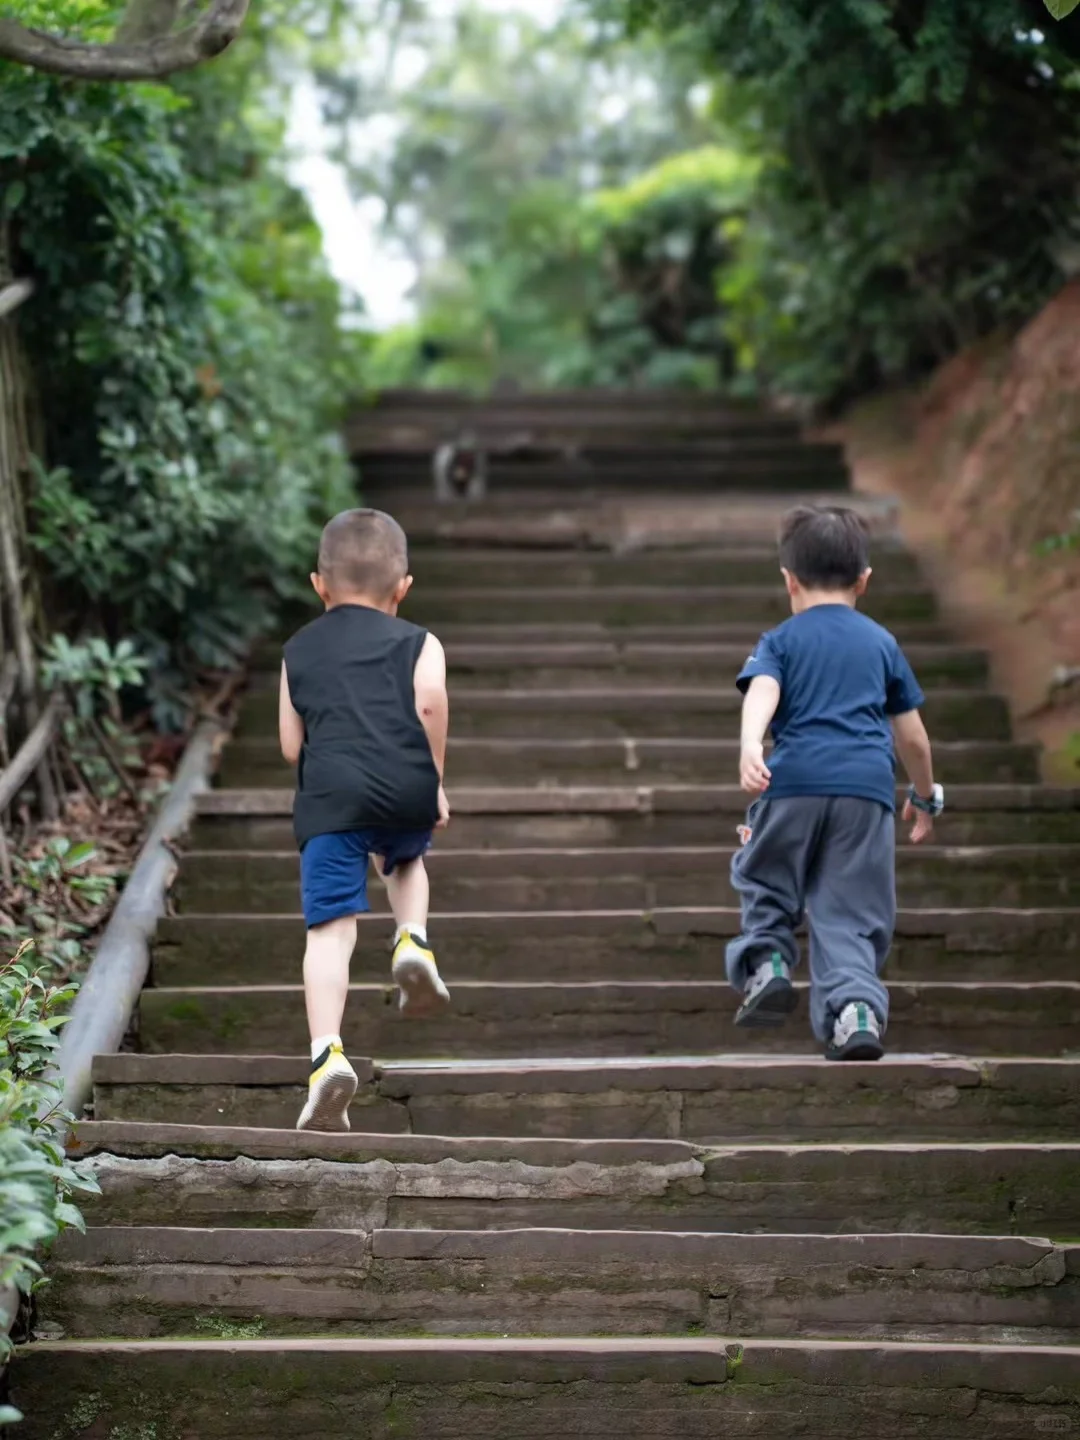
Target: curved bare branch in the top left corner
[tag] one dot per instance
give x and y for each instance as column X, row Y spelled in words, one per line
column 150, row 60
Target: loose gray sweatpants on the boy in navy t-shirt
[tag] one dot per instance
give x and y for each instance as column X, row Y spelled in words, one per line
column 832, row 858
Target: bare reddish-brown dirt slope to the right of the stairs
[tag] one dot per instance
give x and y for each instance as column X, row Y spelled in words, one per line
column 986, row 462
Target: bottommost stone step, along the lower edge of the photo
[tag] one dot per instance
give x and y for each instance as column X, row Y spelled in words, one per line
column 551, row 1389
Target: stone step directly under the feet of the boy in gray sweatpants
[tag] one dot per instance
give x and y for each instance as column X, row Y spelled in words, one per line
column 705, row 1101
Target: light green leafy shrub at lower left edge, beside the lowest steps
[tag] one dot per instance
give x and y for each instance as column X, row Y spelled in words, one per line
column 40, row 1183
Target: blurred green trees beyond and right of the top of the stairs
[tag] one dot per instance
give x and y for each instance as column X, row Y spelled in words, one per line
column 912, row 189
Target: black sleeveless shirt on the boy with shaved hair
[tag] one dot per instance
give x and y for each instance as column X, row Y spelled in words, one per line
column 366, row 760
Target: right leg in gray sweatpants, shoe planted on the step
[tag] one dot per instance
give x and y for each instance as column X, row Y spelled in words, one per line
column 852, row 914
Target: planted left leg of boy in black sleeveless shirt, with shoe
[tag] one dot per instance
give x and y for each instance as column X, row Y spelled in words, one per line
column 335, row 891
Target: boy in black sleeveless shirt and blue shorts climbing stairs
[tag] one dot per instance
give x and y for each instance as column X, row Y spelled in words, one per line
column 364, row 715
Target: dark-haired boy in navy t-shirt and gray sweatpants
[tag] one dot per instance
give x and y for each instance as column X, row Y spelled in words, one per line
column 842, row 699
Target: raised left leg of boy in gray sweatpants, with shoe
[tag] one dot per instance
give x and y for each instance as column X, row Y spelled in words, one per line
column 770, row 878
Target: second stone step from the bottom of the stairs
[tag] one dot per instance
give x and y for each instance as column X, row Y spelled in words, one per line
column 155, row 1282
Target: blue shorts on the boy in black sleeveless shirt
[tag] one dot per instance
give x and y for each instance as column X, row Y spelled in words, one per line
column 333, row 869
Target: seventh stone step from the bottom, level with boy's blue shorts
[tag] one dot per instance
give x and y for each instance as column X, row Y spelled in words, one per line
column 629, row 879
